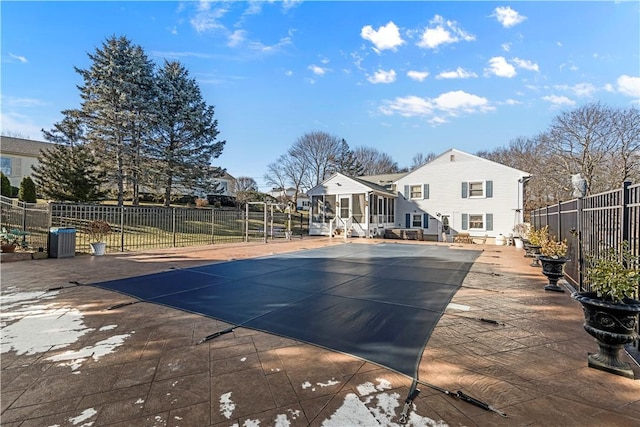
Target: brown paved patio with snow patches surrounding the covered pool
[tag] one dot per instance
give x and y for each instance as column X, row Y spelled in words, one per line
column 68, row 361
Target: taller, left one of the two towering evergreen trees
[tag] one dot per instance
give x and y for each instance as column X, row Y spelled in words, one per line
column 116, row 109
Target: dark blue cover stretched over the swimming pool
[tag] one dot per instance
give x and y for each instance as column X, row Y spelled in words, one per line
column 376, row 302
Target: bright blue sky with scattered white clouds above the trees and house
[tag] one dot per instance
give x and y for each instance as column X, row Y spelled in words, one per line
column 401, row 77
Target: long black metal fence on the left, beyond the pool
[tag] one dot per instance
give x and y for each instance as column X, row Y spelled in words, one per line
column 139, row 228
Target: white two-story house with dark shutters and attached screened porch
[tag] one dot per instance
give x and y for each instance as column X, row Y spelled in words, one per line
column 454, row 193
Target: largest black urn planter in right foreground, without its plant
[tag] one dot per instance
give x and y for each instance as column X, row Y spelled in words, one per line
column 613, row 325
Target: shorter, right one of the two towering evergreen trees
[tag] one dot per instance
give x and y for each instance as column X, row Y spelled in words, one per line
column 184, row 134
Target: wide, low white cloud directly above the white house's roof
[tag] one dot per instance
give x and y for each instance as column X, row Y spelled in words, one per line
column 449, row 103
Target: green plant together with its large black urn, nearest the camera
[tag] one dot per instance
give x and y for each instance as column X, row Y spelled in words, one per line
column 611, row 308
